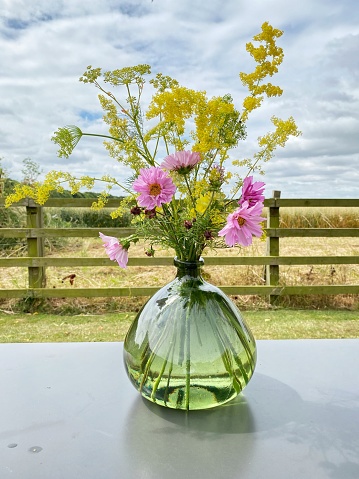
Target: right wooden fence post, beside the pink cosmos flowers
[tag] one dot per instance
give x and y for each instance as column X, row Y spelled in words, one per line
column 272, row 271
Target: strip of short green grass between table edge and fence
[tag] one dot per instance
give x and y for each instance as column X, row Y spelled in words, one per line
column 268, row 324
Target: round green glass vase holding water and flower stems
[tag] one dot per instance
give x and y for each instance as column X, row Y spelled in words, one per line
column 189, row 348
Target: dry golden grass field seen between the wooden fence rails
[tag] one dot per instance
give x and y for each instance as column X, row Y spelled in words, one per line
column 112, row 276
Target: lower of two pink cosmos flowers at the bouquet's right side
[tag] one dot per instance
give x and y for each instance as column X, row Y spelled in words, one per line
column 243, row 224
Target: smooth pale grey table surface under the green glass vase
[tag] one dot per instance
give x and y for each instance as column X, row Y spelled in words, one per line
column 67, row 410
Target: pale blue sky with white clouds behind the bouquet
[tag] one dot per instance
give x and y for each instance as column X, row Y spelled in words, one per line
column 46, row 45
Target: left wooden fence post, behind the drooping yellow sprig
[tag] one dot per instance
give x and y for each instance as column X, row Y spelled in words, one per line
column 35, row 246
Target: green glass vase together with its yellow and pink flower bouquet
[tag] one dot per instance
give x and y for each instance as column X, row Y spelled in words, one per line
column 189, row 347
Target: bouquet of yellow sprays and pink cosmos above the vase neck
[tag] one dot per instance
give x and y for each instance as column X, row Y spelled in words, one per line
column 182, row 193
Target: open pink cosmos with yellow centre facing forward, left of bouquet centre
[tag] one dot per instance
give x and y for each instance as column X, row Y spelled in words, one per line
column 155, row 186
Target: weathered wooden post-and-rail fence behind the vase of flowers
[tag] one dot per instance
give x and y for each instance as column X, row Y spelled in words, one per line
column 36, row 260
